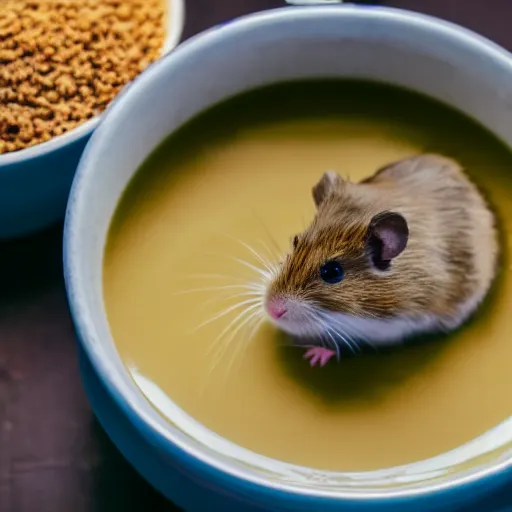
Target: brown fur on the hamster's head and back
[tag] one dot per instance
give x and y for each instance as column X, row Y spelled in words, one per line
column 449, row 260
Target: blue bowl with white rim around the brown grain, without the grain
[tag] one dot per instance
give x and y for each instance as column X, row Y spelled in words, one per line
column 35, row 182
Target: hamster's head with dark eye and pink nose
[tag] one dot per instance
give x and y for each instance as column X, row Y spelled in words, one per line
column 341, row 267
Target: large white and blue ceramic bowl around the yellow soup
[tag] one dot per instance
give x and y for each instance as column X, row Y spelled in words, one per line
column 190, row 464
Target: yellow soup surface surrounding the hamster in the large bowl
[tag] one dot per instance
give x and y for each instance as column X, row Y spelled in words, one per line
column 243, row 171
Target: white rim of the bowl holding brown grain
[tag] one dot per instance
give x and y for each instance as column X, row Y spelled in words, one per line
column 176, row 14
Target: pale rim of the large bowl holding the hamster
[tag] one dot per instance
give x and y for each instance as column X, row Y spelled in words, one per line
column 83, row 319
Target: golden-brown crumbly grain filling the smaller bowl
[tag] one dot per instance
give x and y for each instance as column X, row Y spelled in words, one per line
column 63, row 61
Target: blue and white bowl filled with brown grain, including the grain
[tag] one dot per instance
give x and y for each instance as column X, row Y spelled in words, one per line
column 62, row 62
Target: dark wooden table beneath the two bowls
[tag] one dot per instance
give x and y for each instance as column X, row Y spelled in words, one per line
column 53, row 455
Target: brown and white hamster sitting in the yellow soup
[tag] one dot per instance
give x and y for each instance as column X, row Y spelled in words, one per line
column 411, row 250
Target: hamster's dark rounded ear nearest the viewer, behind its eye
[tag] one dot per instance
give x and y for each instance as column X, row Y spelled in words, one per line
column 387, row 238
